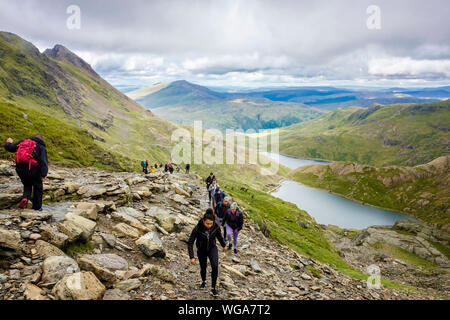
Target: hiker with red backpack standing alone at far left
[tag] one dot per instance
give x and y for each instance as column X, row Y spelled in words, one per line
column 32, row 168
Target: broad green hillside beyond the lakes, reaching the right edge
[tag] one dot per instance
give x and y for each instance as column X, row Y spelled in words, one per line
column 404, row 134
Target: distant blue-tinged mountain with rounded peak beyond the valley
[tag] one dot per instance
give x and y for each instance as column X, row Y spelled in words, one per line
column 184, row 102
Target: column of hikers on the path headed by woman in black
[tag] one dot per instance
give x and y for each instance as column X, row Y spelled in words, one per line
column 222, row 215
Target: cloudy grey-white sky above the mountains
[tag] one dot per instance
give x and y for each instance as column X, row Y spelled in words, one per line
column 247, row 43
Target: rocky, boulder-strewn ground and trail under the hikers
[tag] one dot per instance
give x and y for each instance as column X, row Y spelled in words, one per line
column 105, row 235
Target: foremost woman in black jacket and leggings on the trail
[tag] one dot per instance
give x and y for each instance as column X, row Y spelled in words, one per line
column 205, row 234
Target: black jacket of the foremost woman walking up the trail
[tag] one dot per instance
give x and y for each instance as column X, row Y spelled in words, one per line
column 205, row 242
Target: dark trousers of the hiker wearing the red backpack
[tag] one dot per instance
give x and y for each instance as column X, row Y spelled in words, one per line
column 32, row 183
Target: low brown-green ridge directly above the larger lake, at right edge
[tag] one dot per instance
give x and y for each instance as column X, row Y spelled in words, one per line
column 422, row 191
